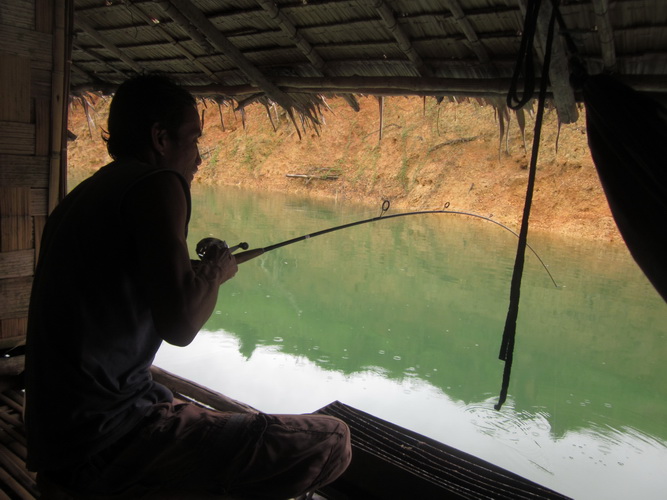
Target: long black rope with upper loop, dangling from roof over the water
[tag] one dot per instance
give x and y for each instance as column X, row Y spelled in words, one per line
column 509, row 333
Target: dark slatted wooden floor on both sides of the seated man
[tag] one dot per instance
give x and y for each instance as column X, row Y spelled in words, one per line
column 389, row 462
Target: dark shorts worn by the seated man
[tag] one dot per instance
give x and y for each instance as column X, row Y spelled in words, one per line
column 188, row 448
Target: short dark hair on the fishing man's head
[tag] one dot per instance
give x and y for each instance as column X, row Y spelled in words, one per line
column 137, row 105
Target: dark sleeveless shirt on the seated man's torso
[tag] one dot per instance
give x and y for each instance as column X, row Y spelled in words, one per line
column 91, row 338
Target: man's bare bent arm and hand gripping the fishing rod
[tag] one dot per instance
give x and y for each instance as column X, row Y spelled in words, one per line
column 182, row 297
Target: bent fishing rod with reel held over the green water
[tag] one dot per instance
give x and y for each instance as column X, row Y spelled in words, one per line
column 206, row 244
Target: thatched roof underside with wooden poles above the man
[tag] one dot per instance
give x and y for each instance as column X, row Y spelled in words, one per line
column 291, row 51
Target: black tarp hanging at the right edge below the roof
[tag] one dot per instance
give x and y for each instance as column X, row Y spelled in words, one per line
column 627, row 135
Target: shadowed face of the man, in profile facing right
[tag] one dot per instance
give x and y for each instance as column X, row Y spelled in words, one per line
column 182, row 152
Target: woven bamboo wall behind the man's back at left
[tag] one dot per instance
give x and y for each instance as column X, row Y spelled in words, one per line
column 33, row 94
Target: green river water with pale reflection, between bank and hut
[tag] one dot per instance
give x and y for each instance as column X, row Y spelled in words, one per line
column 403, row 318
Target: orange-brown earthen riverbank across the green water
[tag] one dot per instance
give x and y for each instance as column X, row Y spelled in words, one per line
column 430, row 155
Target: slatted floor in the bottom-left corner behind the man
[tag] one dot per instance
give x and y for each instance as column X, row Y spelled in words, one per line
column 16, row 482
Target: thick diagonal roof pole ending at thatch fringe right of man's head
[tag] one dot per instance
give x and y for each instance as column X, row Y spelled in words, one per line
column 221, row 43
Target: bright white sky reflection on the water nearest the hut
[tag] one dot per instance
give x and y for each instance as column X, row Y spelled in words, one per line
column 598, row 461
